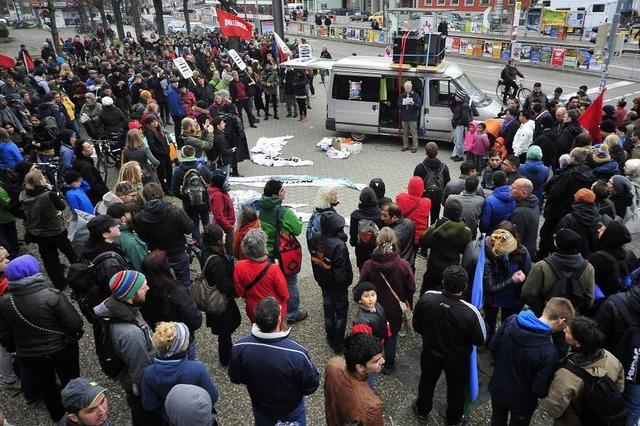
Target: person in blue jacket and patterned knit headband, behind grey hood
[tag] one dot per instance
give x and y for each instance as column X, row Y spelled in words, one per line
column 171, row 367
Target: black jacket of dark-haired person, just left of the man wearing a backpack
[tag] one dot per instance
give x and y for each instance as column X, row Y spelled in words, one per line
column 158, row 214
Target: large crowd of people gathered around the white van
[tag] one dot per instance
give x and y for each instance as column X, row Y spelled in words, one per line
column 560, row 302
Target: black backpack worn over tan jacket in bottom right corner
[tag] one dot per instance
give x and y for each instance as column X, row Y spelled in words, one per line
column 602, row 402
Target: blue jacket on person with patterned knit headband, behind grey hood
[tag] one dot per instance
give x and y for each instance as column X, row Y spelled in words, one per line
column 160, row 377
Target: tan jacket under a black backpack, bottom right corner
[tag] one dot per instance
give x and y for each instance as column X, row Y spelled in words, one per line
column 565, row 392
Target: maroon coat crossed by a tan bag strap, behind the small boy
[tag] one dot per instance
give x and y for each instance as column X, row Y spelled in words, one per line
column 400, row 276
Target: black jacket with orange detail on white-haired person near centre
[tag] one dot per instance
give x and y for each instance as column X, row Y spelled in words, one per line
column 329, row 254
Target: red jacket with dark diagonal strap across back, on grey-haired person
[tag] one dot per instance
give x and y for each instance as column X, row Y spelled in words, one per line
column 272, row 283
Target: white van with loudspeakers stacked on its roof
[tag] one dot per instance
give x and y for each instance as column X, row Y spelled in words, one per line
column 362, row 95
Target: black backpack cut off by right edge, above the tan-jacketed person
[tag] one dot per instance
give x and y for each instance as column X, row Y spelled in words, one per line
column 628, row 348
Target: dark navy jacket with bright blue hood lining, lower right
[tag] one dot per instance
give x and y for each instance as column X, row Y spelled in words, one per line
column 526, row 360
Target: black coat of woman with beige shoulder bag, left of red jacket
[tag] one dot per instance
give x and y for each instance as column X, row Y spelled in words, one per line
column 220, row 272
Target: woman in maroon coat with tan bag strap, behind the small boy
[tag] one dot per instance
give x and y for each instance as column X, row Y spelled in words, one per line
column 395, row 282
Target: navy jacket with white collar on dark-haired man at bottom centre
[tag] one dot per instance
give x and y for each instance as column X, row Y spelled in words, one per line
column 277, row 371
